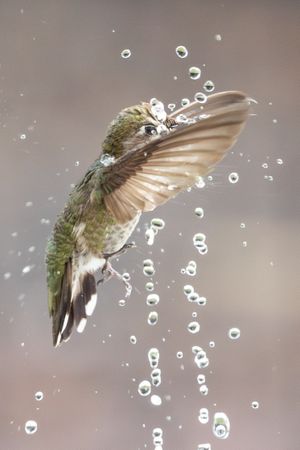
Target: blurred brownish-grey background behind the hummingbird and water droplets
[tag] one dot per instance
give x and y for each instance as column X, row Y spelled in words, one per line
column 61, row 81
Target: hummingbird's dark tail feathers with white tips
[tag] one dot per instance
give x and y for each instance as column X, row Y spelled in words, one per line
column 75, row 301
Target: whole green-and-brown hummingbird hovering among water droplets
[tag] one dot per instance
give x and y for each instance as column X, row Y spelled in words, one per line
column 147, row 158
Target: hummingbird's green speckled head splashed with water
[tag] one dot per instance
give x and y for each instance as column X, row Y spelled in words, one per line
column 137, row 125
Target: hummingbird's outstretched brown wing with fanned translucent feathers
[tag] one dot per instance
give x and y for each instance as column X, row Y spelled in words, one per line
column 148, row 176
